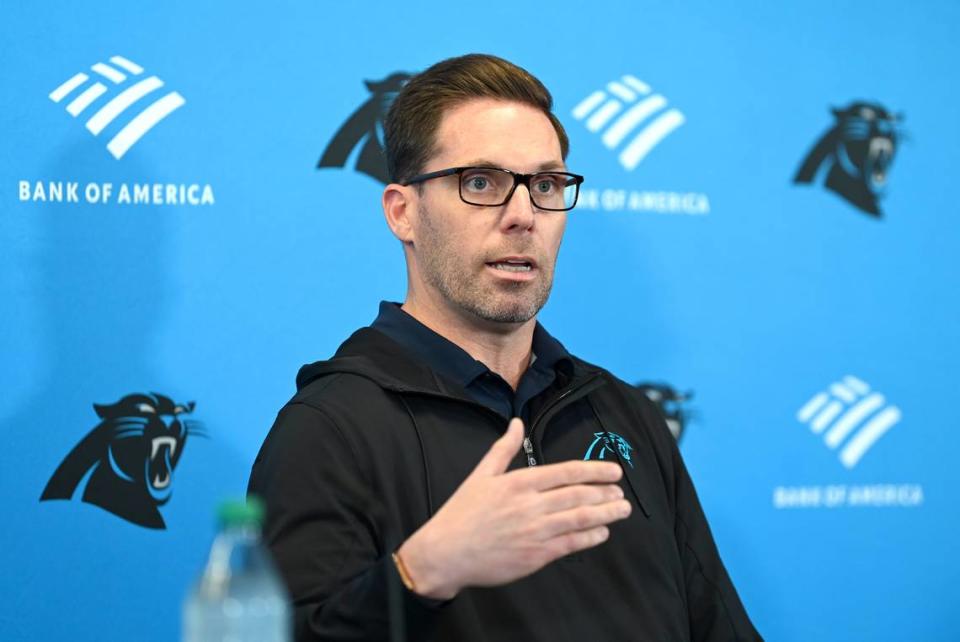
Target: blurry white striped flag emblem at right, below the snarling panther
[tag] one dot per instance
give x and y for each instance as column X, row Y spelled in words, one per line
column 851, row 415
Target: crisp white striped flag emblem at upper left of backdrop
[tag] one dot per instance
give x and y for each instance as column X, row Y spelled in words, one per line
column 117, row 75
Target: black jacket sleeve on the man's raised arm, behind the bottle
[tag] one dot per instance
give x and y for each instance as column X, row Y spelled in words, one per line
column 323, row 530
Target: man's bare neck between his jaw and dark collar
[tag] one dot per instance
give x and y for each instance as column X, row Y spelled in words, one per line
column 505, row 348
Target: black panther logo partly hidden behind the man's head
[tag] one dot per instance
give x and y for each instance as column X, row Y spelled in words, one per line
column 365, row 127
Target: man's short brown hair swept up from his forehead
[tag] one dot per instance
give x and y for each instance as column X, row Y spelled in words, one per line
column 412, row 122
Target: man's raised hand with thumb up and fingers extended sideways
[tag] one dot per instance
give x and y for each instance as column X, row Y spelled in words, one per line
column 500, row 526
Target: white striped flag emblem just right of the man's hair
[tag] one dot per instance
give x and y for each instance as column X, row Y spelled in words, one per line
column 626, row 106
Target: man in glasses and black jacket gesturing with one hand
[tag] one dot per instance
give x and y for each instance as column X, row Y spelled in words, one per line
column 398, row 461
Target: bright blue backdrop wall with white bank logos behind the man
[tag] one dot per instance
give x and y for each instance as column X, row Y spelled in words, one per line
column 820, row 340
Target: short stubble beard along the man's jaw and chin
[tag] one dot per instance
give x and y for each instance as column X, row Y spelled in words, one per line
column 504, row 302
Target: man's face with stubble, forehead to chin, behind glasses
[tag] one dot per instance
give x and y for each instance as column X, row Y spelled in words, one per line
column 492, row 263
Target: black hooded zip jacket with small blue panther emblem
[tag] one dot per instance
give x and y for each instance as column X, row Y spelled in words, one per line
column 374, row 442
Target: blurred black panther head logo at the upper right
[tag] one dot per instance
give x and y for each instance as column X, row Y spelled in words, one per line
column 856, row 153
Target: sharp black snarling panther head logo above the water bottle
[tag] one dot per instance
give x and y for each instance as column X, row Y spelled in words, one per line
column 128, row 459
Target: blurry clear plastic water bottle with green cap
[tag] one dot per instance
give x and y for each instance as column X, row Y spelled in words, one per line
column 240, row 596
